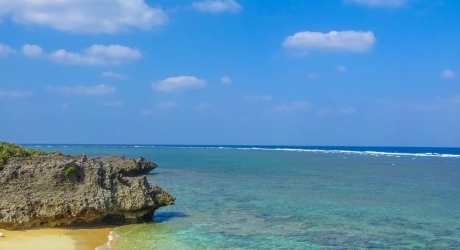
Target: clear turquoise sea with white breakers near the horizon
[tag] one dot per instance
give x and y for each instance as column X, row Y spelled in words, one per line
column 279, row 197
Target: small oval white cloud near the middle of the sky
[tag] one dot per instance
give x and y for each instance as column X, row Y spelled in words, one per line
column 179, row 83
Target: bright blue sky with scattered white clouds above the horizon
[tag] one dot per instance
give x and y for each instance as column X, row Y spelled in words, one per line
column 231, row 72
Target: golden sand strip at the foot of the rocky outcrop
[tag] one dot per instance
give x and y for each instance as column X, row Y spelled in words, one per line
column 54, row 239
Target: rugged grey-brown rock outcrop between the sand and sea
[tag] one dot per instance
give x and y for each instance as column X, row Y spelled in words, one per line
column 59, row 191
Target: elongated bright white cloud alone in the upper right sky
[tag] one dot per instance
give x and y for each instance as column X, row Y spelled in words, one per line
column 352, row 41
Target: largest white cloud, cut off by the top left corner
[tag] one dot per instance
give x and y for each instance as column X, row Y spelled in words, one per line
column 84, row 16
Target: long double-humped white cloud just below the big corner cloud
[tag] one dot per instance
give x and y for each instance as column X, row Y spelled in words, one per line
column 97, row 55
